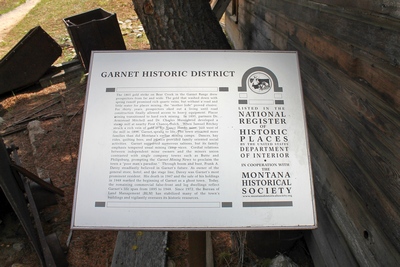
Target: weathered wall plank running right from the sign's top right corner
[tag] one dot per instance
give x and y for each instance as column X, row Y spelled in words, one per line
column 357, row 103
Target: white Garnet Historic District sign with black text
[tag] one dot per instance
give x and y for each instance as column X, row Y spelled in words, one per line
column 194, row 140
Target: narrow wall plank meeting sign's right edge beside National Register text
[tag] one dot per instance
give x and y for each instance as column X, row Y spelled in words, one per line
column 375, row 201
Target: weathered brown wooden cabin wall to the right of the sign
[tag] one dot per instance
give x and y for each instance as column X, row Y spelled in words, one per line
column 349, row 54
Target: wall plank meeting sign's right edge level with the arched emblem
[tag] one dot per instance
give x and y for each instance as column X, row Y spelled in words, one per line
column 377, row 159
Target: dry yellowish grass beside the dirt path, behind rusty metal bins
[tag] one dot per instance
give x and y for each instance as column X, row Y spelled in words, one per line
column 49, row 15
